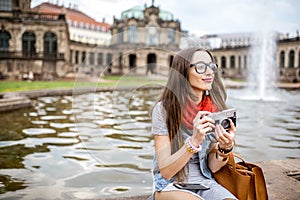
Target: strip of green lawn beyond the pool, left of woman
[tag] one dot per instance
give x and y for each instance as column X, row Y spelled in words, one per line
column 108, row 81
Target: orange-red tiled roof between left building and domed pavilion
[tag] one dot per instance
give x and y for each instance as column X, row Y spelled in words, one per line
column 73, row 16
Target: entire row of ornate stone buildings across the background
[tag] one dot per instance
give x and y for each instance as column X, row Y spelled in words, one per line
column 52, row 41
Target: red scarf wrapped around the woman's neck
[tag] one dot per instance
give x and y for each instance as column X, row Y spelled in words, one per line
column 190, row 110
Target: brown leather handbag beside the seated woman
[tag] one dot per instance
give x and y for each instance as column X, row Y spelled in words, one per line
column 243, row 179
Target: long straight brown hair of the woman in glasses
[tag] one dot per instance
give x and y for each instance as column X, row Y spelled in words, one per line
column 178, row 89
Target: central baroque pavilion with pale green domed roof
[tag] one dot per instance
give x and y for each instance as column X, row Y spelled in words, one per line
column 144, row 40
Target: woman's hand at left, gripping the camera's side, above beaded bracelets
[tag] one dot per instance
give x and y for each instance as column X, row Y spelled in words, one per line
column 202, row 124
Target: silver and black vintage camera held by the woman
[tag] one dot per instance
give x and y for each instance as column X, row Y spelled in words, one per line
column 223, row 118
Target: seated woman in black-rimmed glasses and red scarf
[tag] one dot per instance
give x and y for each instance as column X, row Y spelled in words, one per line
column 189, row 147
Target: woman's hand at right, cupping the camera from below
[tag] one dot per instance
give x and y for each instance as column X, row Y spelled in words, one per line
column 225, row 138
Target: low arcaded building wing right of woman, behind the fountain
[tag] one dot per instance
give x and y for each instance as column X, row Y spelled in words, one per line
column 232, row 53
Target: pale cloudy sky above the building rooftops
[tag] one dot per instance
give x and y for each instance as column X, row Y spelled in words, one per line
column 202, row 17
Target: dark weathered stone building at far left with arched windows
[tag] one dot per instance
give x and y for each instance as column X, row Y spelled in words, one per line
column 32, row 42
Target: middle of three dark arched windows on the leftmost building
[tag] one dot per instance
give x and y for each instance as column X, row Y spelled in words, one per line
column 28, row 44
